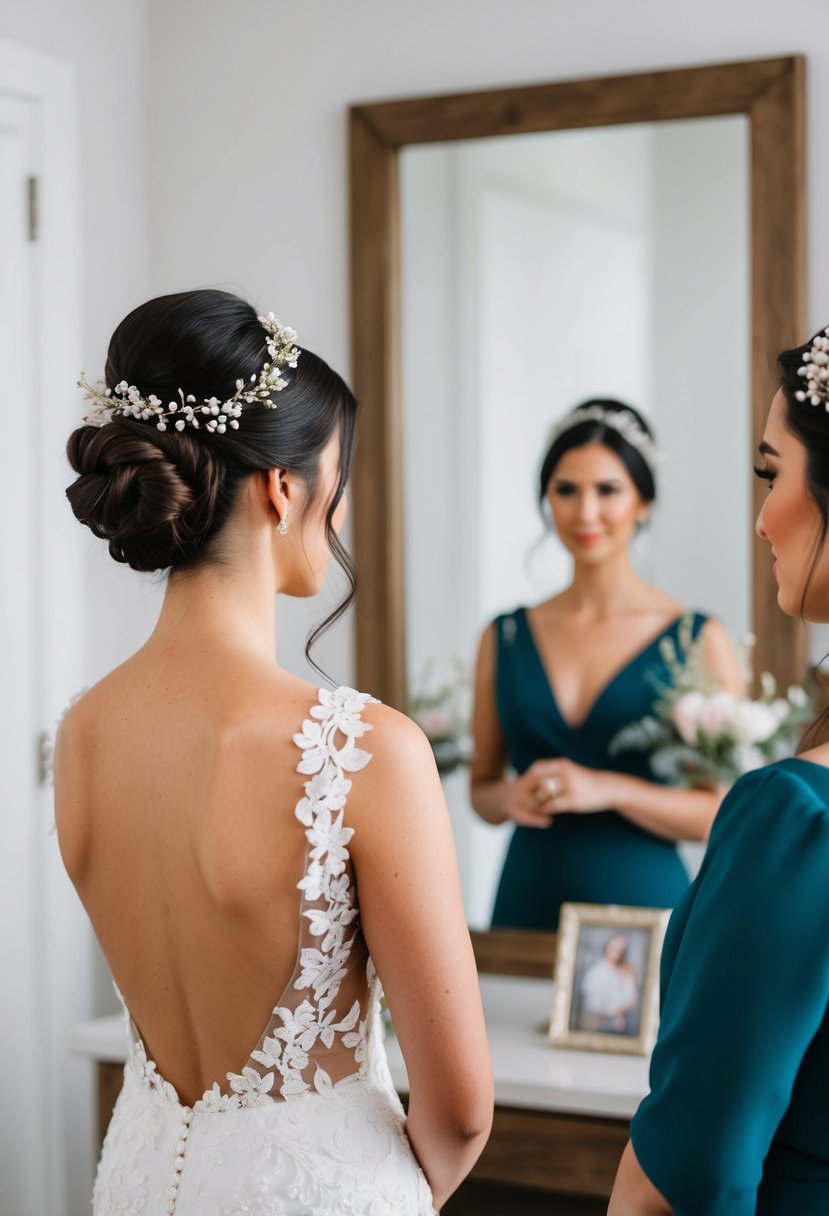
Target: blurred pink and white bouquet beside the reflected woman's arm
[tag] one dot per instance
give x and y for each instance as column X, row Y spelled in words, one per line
column 702, row 736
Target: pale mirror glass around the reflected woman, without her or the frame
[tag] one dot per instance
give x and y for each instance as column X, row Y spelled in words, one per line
column 540, row 271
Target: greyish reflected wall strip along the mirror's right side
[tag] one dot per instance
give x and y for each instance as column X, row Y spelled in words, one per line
column 701, row 358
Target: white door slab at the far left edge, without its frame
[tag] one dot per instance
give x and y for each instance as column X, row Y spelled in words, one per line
column 21, row 1010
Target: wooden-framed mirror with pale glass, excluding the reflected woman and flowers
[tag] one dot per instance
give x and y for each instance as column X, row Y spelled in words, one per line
column 644, row 238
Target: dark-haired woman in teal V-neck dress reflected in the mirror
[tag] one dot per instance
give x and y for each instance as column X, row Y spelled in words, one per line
column 556, row 683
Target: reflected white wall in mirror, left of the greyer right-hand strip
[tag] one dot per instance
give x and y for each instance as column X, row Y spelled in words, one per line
column 504, row 245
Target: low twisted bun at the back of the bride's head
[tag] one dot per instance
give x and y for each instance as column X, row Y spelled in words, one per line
column 153, row 496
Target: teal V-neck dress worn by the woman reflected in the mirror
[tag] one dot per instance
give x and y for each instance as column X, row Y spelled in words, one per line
column 601, row 858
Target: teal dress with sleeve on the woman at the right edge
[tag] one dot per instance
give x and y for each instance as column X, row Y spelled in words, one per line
column 737, row 1123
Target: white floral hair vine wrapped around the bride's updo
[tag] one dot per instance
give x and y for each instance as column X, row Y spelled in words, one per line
column 127, row 402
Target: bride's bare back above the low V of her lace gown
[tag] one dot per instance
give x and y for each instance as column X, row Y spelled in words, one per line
column 177, row 785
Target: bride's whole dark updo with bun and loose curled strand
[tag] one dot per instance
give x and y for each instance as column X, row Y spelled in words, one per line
column 162, row 498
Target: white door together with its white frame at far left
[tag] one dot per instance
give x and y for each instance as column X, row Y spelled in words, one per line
column 46, row 1134
